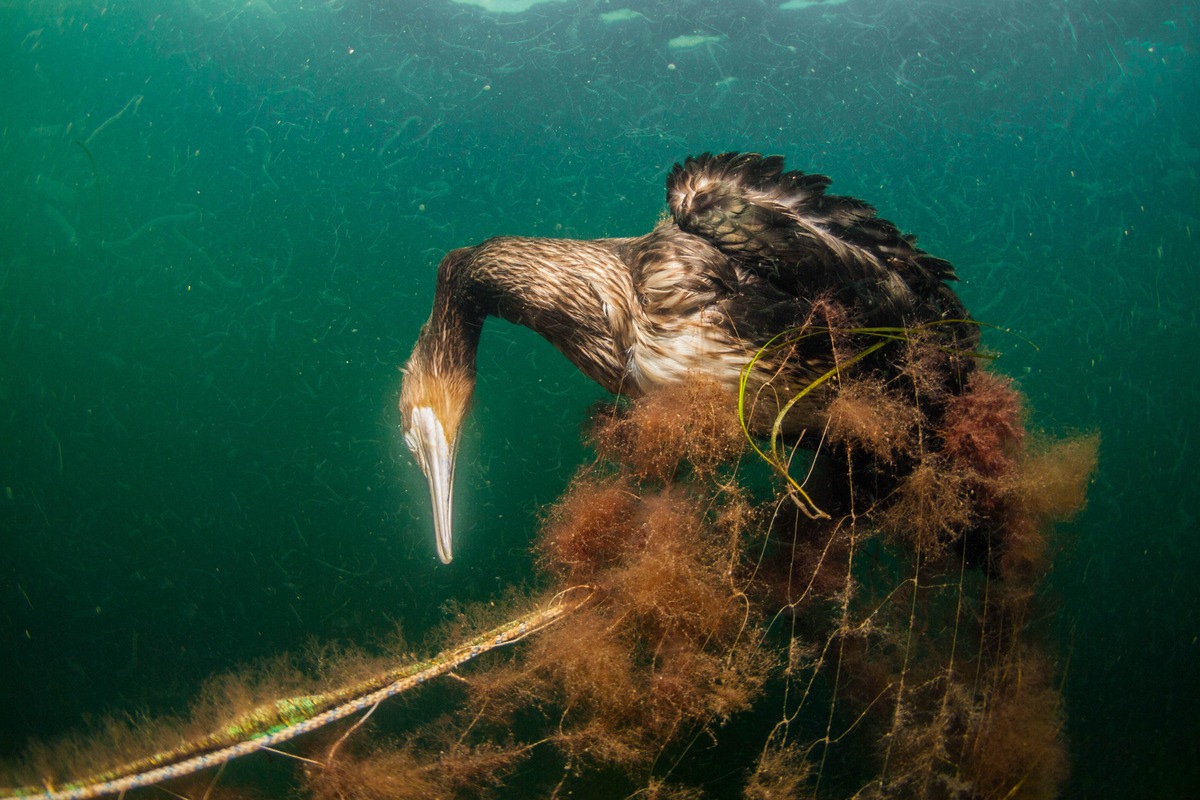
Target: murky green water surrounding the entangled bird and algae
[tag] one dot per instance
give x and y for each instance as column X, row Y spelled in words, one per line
column 220, row 224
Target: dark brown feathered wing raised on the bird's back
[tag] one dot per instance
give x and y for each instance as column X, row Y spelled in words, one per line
column 785, row 227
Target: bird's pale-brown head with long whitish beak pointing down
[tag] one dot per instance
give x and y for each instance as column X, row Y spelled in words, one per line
column 434, row 401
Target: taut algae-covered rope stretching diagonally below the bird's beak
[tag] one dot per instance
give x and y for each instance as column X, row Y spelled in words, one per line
column 287, row 719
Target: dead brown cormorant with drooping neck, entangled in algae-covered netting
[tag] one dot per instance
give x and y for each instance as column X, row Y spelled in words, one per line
column 746, row 251
